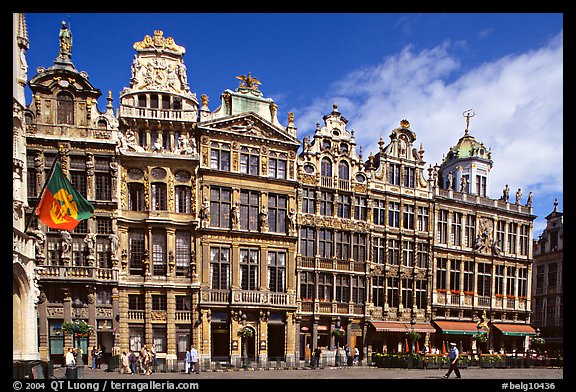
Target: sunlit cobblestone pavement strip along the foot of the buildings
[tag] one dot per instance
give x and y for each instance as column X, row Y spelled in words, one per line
column 334, row 373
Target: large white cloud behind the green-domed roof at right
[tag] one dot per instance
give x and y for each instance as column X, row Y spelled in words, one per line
column 518, row 101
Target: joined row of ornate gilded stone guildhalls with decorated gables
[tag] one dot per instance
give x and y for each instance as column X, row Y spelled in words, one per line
column 209, row 221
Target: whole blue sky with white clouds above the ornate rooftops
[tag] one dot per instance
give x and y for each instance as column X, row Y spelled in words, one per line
column 379, row 68
